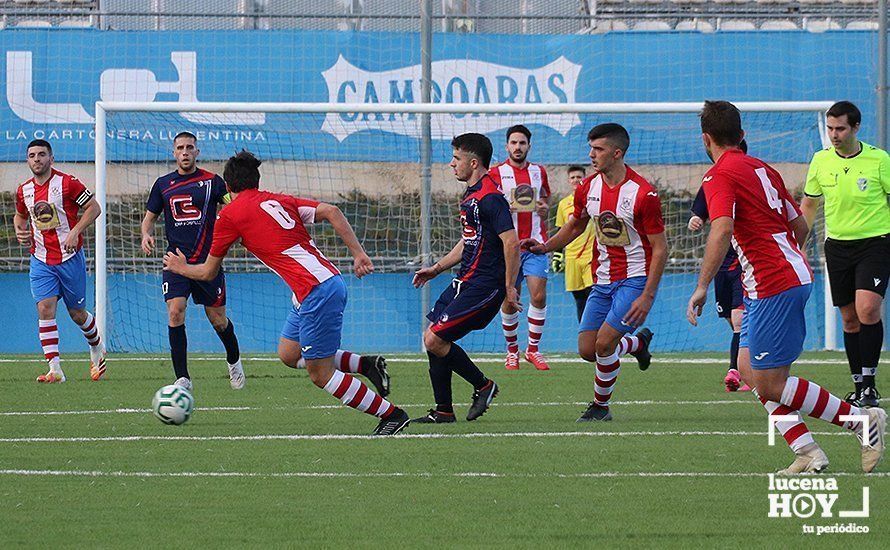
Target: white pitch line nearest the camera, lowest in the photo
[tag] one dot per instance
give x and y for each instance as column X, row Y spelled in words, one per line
column 549, row 475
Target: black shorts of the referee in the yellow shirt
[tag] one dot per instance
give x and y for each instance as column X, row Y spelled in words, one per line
column 861, row 264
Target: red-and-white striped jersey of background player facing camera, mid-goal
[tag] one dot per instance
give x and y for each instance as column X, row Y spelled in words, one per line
column 509, row 180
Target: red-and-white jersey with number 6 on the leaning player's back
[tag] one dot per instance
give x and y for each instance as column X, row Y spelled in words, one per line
column 271, row 226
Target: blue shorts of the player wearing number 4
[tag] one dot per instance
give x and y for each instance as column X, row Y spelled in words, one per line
column 774, row 328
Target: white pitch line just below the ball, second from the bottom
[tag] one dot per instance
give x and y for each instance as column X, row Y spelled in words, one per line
column 353, row 437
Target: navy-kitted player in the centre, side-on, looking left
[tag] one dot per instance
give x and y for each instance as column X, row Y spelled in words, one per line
column 488, row 254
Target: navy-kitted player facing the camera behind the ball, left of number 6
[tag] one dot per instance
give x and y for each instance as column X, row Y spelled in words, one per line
column 188, row 199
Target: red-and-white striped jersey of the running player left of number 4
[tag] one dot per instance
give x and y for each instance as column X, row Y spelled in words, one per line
column 623, row 217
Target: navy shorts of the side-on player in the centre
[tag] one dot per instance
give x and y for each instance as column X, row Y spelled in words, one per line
column 463, row 308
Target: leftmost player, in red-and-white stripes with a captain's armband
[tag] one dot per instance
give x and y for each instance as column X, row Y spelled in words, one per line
column 48, row 219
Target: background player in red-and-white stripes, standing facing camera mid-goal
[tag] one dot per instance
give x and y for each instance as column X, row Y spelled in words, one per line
column 527, row 190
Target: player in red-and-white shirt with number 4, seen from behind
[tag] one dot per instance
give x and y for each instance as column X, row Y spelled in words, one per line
column 750, row 207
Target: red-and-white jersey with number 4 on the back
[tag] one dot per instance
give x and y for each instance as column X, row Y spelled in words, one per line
column 754, row 195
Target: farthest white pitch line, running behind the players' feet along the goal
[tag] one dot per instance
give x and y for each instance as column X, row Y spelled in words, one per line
column 678, row 361
